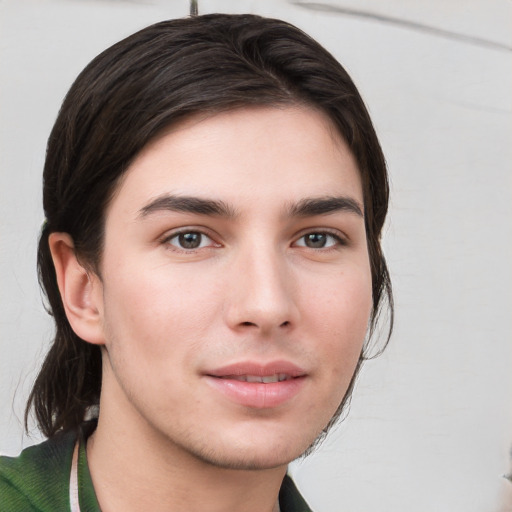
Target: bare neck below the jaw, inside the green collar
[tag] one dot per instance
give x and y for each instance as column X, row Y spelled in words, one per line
column 133, row 468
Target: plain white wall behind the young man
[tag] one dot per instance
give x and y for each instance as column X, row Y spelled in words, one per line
column 431, row 421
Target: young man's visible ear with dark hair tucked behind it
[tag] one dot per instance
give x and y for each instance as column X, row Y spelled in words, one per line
column 81, row 291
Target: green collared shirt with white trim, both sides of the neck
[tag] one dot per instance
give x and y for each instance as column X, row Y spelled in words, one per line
column 39, row 478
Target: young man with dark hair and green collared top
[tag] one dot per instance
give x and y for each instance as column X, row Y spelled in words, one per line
column 214, row 195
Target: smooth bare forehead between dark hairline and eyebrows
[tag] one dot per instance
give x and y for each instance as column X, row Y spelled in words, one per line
column 269, row 154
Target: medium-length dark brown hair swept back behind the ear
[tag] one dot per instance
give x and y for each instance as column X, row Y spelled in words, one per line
column 129, row 94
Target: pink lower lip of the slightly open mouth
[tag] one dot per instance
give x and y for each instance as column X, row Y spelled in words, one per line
column 257, row 395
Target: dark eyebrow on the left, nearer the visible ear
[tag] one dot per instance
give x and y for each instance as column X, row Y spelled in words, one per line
column 188, row 204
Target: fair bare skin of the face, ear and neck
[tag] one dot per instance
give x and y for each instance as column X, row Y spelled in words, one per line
column 260, row 287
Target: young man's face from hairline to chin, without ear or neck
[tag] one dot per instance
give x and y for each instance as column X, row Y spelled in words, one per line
column 235, row 286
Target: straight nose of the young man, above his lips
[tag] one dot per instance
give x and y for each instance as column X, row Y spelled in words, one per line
column 262, row 293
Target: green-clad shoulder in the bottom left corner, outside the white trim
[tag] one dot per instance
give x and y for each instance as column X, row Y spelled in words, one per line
column 38, row 479
